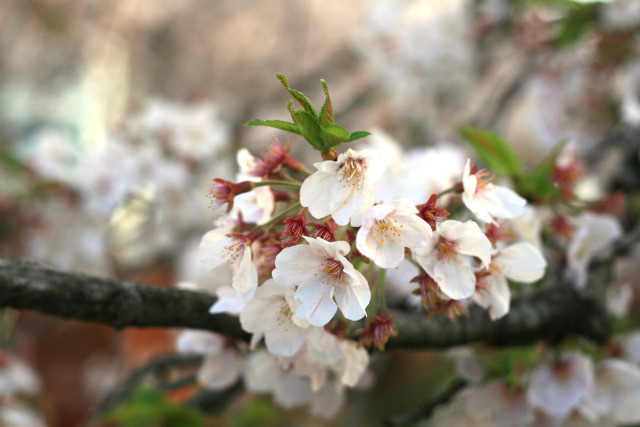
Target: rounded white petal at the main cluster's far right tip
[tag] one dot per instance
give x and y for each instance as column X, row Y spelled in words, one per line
column 521, row 262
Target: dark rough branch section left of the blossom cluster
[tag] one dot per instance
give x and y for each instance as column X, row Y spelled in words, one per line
column 30, row 286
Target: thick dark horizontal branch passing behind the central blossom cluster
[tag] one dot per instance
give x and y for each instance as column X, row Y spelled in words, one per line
column 548, row 314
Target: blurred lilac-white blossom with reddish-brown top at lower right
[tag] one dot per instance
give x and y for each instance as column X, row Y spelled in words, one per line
column 560, row 388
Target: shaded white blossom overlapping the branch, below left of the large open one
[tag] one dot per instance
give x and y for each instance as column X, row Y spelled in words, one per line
column 270, row 313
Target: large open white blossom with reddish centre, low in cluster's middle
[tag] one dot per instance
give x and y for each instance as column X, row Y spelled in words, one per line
column 325, row 280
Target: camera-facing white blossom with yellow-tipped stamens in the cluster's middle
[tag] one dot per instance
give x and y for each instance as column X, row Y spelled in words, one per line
column 387, row 229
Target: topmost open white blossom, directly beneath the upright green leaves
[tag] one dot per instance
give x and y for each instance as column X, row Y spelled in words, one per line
column 344, row 188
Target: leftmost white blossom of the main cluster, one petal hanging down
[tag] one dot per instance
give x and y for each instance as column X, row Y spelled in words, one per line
column 220, row 245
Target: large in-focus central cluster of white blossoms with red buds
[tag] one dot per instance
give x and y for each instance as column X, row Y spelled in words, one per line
column 309, row 252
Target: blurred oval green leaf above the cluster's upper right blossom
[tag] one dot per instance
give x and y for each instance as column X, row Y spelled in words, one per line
column 493, row 151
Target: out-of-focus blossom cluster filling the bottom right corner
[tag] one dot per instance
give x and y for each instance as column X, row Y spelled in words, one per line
column 545, row 388
